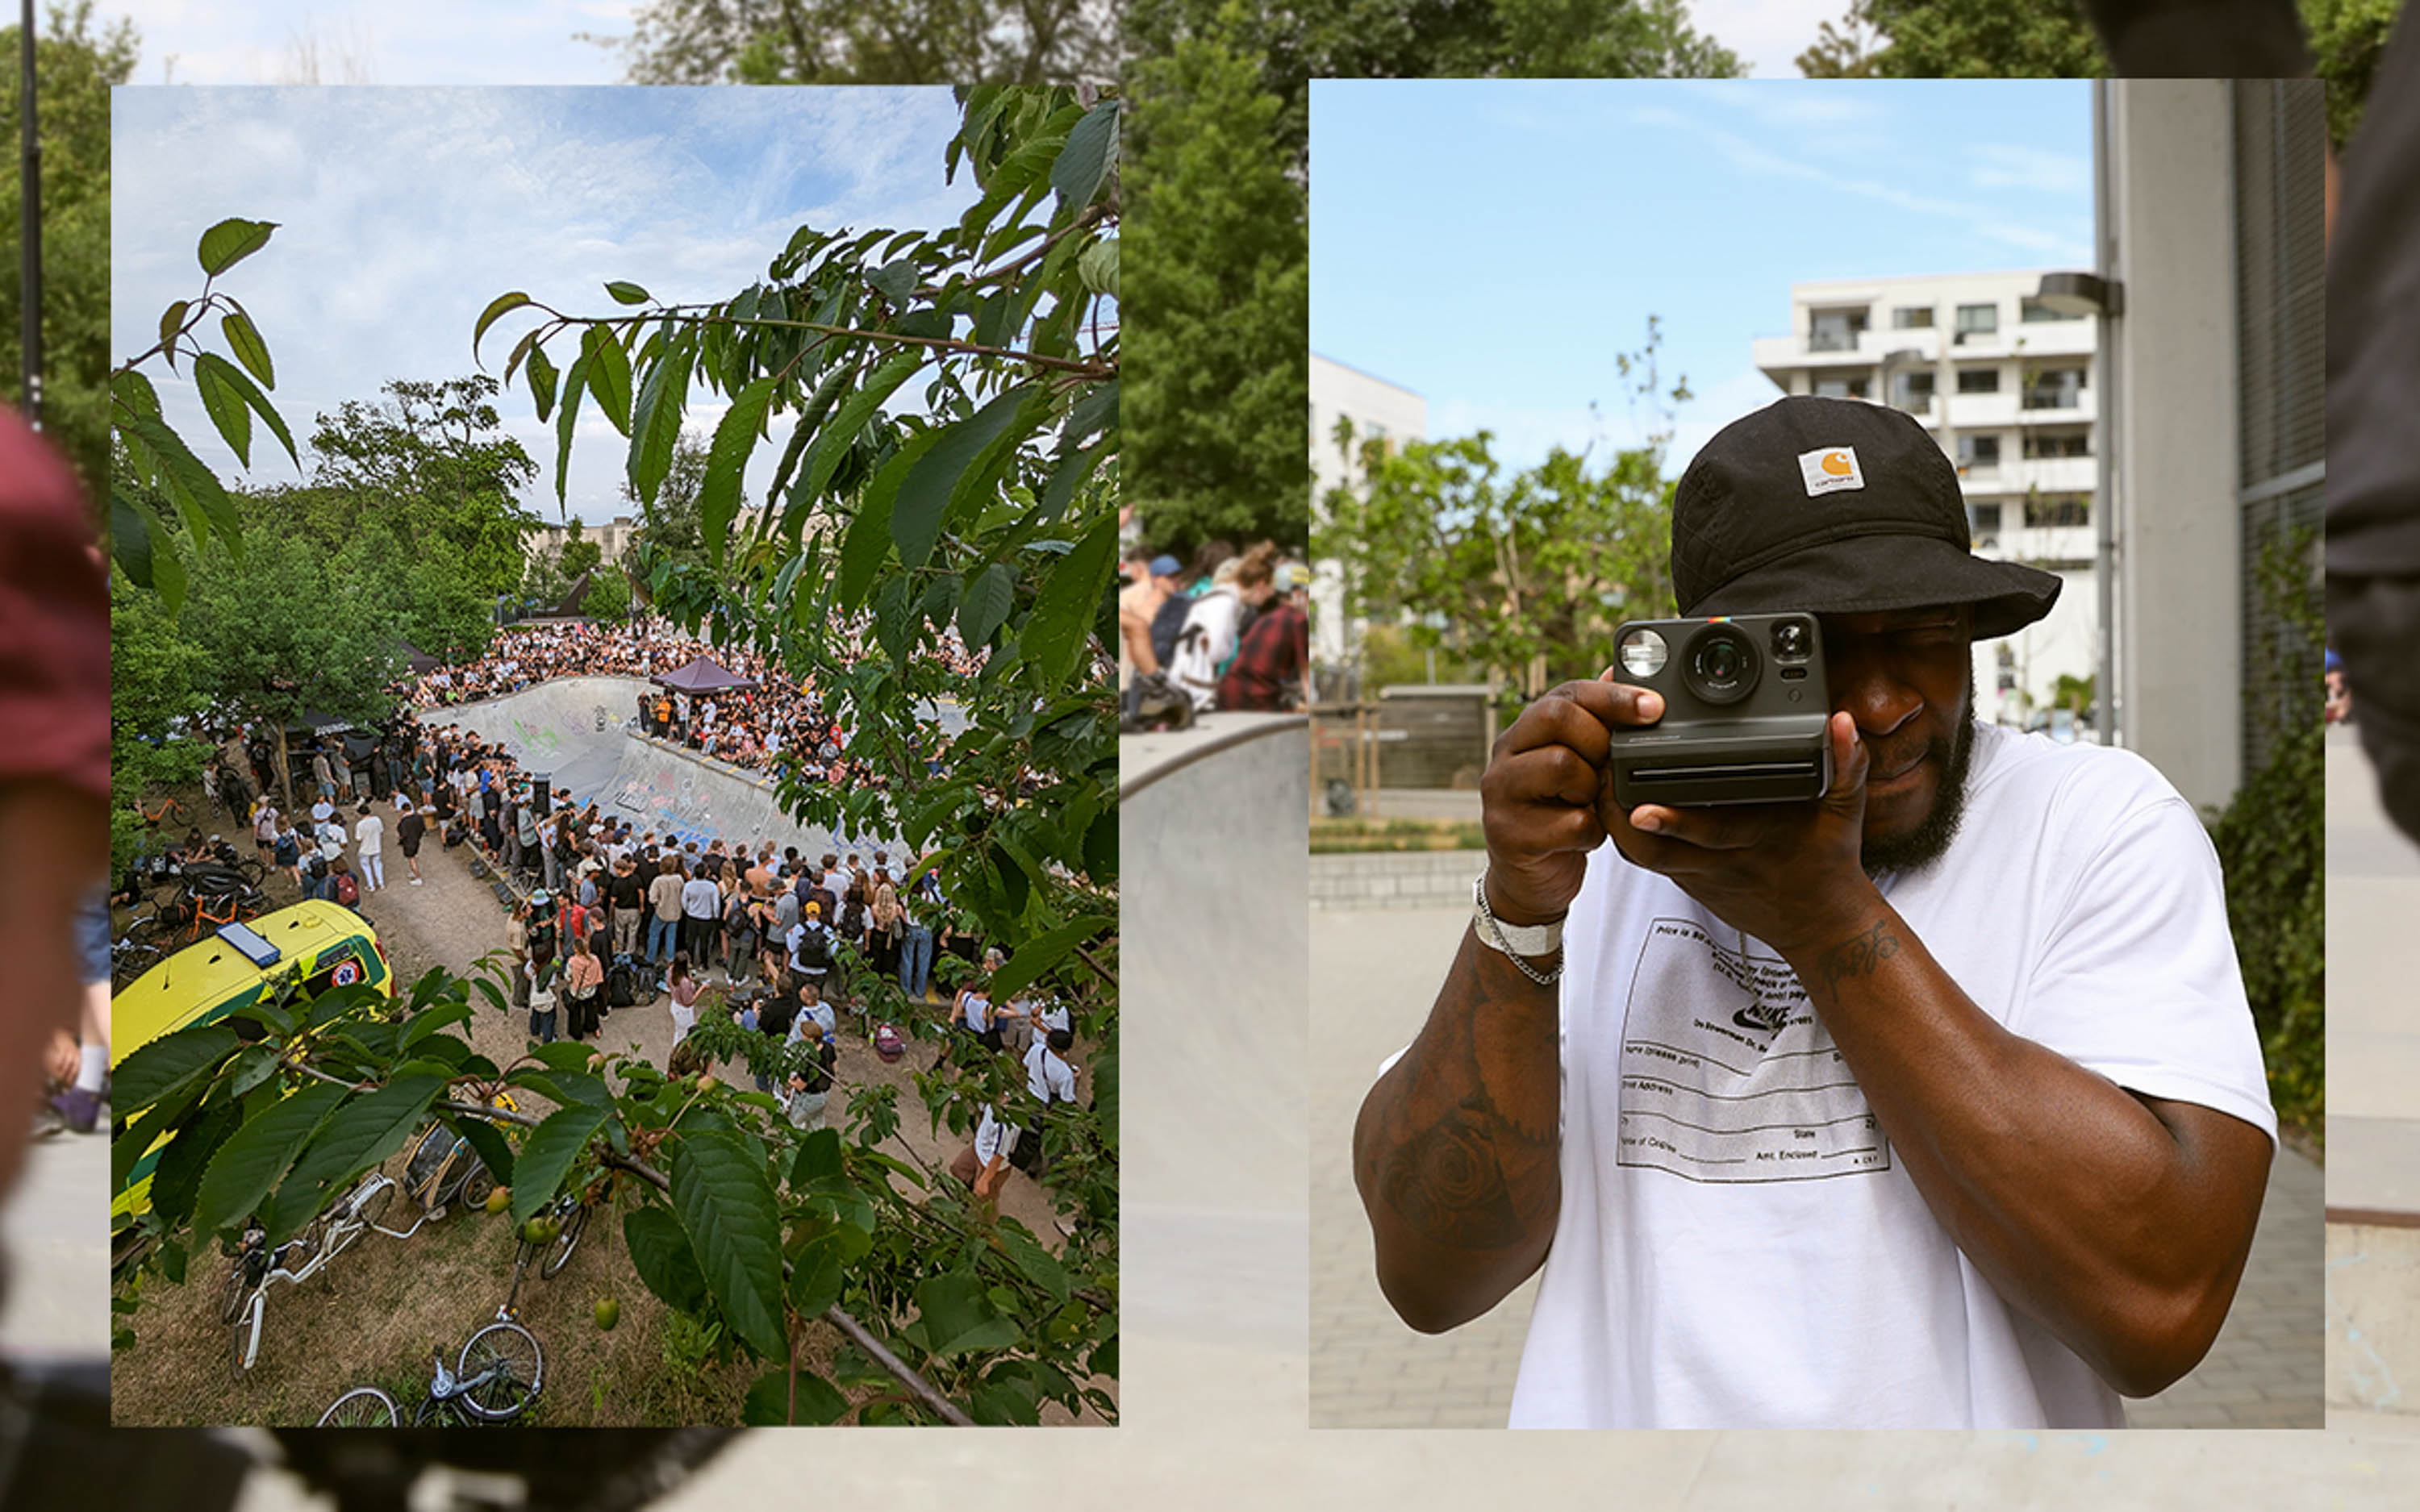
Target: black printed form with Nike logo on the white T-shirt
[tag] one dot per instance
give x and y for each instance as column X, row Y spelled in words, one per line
column 1727, row 1073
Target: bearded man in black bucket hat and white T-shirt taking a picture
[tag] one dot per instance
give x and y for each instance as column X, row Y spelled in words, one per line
column 1925, row 1104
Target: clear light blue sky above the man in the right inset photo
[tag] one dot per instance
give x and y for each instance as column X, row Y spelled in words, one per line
column 1490, row 246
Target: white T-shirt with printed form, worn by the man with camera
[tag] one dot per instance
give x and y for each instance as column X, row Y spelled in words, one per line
column 1739, row 1247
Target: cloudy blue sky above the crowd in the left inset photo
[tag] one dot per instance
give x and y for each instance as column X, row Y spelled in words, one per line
column 405, row 212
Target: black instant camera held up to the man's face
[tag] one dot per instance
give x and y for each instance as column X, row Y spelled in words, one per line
column 1746, row 712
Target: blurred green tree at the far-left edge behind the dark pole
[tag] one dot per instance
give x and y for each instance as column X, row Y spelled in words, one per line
column 74, row 71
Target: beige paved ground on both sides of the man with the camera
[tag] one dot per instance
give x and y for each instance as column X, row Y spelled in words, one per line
column 1373, row 976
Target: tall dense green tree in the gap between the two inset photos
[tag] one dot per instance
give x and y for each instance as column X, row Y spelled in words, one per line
column 1223, row 294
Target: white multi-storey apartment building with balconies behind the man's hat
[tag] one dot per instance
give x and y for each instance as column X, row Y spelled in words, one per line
column 2010, row 391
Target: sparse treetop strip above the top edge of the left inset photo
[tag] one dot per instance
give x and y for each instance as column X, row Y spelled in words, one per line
column 870, row 42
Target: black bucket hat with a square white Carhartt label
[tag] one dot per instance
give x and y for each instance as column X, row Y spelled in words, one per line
column 1836, row 507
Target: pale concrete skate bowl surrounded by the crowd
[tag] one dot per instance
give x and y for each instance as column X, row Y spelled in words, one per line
column 584, row 734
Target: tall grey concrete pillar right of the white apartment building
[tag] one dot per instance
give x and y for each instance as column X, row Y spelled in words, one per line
column 2179, row 599
